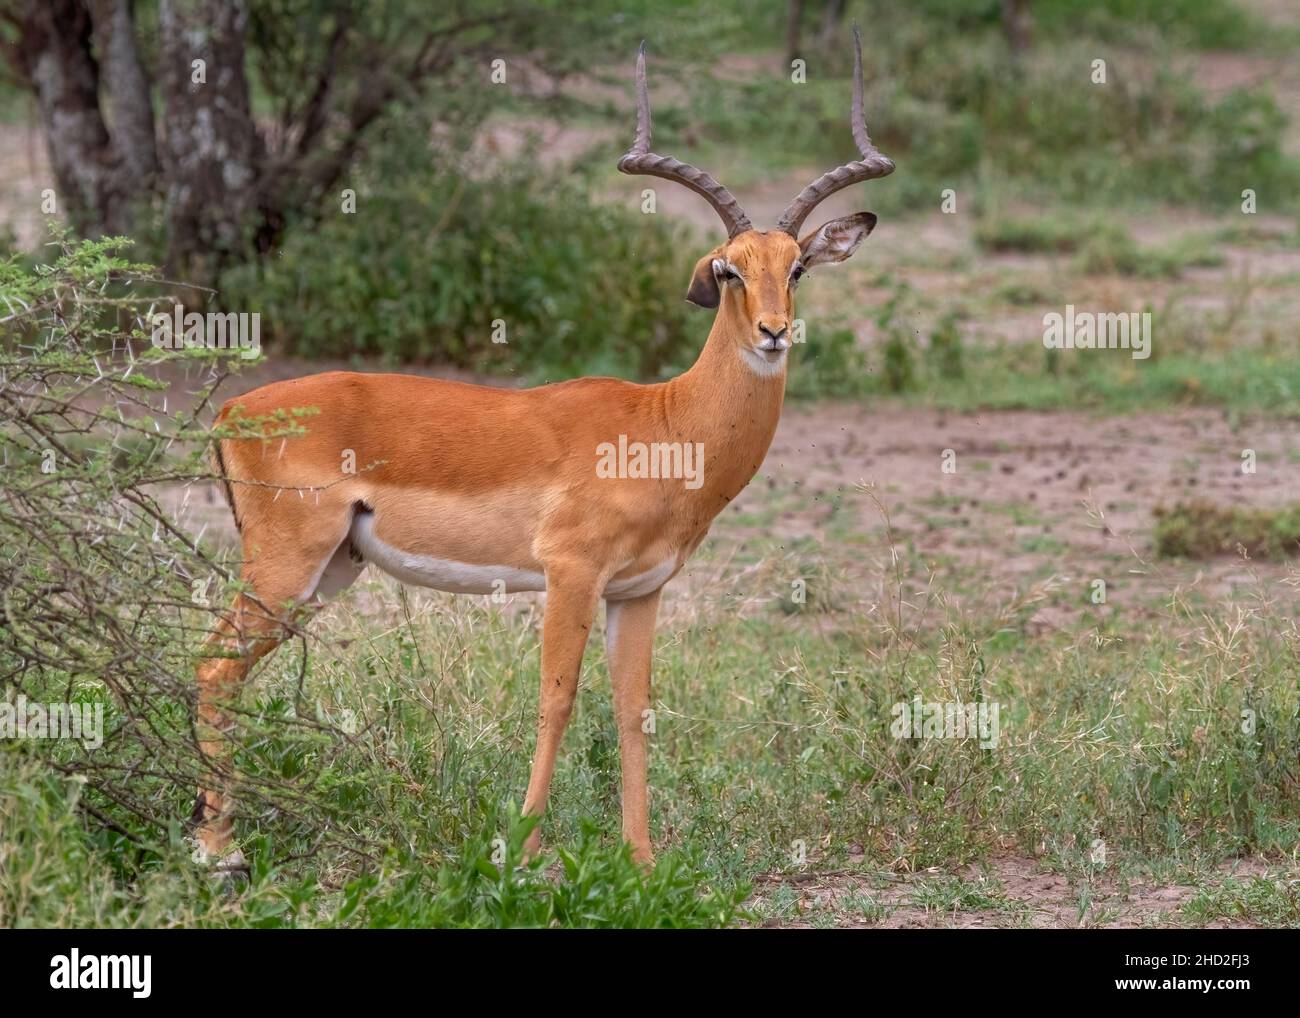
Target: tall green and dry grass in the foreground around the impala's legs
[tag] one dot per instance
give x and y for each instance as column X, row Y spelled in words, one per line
column 773, row 729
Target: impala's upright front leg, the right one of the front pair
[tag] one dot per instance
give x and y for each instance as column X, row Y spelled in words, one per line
column 630, row 642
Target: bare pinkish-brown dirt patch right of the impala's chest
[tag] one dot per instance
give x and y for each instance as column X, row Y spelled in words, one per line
column 1035, row 496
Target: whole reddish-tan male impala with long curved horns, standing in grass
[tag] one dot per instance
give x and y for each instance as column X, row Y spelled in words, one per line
column 478, row 487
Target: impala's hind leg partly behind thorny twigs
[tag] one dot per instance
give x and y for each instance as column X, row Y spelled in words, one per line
column 285, row 590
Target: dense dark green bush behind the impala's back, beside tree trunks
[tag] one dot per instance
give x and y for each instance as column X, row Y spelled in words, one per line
column 439, row 263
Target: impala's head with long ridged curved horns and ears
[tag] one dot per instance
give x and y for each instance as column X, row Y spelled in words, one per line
column 752, row 278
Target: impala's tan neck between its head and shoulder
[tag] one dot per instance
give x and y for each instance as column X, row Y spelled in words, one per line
column 723, row 402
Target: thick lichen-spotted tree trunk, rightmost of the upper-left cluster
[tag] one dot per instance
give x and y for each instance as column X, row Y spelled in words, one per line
column 211, row 149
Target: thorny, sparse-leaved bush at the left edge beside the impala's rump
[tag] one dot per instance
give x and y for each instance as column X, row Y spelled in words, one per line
column 107, row 599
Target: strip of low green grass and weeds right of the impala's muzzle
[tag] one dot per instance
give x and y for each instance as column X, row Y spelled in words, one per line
column 1194, row 362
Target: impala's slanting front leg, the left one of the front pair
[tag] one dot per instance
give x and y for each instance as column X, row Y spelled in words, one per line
column 566, row 626
